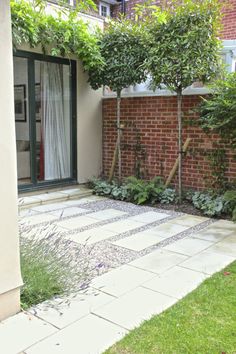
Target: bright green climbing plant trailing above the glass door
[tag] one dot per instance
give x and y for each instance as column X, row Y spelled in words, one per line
column 60, row 34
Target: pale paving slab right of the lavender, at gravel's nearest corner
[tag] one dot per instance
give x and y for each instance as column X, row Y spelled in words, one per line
column 121, row 280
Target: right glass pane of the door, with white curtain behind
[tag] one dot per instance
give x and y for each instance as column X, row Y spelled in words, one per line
column 52, row 91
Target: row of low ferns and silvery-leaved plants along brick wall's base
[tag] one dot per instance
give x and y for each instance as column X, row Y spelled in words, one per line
column 140, row 192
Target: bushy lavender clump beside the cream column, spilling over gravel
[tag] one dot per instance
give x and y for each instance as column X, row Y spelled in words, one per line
column 49, row 266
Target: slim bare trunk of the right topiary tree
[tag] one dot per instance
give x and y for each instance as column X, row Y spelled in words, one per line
column 179, row 100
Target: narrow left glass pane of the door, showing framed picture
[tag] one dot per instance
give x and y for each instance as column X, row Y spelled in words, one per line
column 22, row 120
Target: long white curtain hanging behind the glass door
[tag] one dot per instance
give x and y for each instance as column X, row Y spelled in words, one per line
column 56, row 161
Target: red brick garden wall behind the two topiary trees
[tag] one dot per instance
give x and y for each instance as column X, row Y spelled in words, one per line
column 150, row 138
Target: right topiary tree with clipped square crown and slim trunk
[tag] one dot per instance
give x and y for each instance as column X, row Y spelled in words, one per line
column 184, row 48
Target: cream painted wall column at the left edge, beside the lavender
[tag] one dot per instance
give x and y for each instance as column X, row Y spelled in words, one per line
column 10, row 277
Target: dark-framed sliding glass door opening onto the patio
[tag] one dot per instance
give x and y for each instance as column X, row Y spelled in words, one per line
column 45, row 120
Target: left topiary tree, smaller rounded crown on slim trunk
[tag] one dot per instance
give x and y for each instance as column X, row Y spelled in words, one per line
column 123, row 51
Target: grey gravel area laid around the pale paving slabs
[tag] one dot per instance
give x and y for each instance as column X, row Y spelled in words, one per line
column 104, row 256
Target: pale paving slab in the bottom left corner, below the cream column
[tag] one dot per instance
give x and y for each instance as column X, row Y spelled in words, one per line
column 22, row 330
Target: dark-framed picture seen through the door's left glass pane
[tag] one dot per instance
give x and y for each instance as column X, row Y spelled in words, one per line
column 20, row 103
